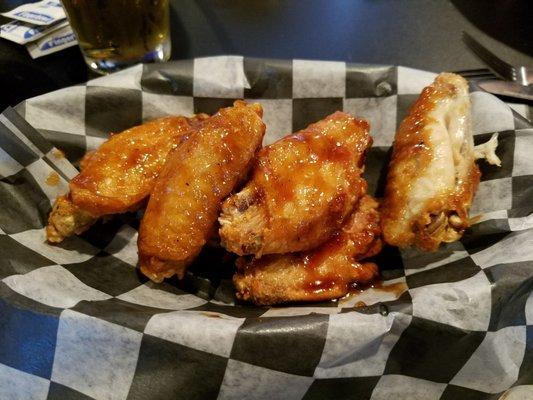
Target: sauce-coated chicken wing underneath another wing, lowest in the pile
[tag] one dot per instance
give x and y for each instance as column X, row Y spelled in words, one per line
column 324, row 273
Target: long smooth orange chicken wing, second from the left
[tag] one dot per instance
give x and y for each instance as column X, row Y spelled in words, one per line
column 184, row 205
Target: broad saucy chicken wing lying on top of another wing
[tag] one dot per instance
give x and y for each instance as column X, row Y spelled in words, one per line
column 302, row 189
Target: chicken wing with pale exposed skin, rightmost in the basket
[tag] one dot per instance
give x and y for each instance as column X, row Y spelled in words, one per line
column 432, row 174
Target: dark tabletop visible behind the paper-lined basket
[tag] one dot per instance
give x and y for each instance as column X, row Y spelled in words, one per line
column 417, row 33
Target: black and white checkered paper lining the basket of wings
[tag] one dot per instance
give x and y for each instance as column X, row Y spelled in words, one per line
column 77, row 321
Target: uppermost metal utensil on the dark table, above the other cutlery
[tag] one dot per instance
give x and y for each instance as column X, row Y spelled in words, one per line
column 519, row 74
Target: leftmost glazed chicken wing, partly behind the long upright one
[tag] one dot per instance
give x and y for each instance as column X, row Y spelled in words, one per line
column 118, row 176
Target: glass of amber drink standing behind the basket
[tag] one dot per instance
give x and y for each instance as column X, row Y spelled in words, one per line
column 115, row 34
